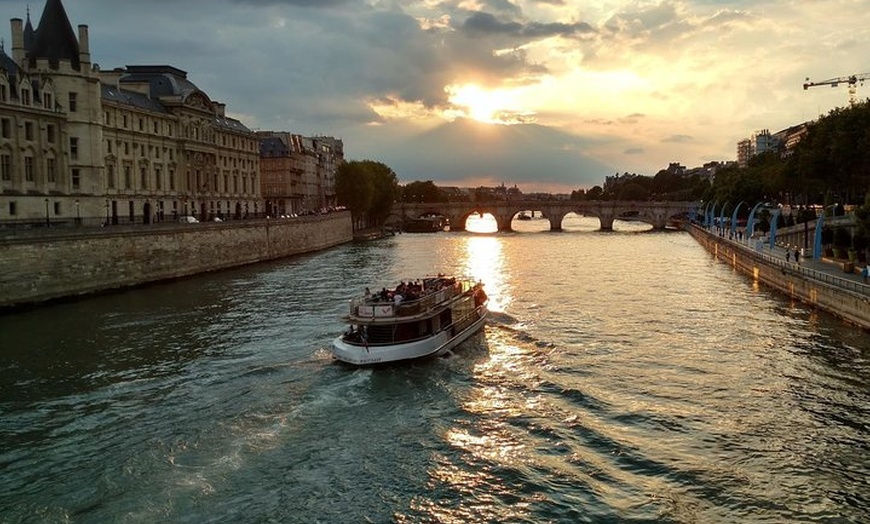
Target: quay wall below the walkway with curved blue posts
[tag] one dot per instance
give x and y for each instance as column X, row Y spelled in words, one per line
column 842, row 297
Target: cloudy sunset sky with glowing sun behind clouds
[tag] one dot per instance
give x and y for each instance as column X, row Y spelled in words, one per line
column 547, row 95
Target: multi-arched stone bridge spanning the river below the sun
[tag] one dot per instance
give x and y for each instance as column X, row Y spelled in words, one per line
column 655, row 213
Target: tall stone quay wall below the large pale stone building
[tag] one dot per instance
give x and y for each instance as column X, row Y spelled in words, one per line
column 43, row 265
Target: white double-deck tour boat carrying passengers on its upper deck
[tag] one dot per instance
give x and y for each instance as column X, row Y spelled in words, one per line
column 414, row 320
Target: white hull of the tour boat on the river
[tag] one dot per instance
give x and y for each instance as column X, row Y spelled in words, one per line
column 436, row 345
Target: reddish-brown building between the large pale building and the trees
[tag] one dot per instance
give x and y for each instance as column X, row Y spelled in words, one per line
column 298, row 173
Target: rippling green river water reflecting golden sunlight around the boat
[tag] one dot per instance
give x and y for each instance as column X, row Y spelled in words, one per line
column 623, row 377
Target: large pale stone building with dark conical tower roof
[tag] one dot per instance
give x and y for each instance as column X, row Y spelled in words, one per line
column 135, row 144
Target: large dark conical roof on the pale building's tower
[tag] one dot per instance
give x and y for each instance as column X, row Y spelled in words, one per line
column 55, row 39
